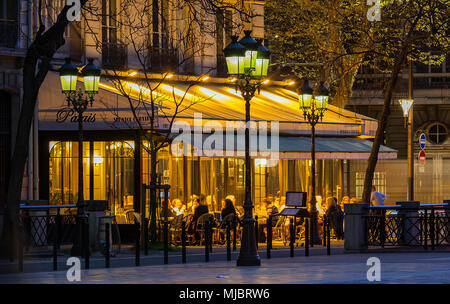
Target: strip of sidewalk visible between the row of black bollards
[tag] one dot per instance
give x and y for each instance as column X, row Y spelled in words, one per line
column 194, row 255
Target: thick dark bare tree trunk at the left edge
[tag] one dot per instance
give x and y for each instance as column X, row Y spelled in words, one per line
column 36, row 67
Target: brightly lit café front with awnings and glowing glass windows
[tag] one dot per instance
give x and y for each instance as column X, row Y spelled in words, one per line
column 116, row 158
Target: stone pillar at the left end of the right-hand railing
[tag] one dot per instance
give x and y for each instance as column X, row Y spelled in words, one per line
column 355, row 229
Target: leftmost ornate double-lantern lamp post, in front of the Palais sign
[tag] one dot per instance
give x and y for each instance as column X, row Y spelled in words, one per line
column 79, row 101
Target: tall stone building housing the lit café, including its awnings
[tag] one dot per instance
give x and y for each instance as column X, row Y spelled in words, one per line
column 152, row 41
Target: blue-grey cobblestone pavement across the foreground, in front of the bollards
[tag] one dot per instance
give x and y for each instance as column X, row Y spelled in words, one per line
column 416, row 268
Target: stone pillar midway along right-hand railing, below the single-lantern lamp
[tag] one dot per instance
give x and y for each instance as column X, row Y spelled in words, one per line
column 410, row 214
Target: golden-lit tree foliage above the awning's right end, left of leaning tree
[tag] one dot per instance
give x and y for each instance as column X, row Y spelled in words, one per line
column 328, row 33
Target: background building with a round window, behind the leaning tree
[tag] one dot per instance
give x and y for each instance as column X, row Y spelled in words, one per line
column 431, row 94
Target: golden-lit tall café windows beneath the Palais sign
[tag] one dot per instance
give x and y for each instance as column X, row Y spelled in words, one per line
column 108, row 173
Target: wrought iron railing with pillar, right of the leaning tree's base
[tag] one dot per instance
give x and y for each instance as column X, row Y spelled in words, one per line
column 427, row 225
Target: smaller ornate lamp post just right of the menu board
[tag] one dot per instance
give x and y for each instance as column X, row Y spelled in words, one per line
column 313, row 104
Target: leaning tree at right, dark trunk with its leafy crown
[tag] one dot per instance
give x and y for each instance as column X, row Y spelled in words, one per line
column 409, row 30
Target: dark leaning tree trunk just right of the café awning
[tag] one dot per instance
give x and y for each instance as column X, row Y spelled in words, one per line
column 373, row 158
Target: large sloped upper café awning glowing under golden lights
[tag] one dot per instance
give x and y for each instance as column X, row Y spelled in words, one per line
column 215, row 100
